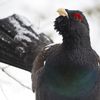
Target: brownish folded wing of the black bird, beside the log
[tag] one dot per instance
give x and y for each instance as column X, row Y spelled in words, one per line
column 39, row 63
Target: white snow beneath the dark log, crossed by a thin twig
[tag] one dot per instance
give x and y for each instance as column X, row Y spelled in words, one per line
column 15, row 84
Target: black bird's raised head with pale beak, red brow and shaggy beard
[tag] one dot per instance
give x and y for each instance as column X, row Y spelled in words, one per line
column 71, row 23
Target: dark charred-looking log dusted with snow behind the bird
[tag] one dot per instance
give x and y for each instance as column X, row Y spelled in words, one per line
column 19, row 43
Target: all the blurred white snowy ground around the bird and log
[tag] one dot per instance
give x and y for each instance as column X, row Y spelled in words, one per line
column 15, row 84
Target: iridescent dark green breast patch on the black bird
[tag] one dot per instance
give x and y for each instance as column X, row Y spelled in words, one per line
column 72, row 84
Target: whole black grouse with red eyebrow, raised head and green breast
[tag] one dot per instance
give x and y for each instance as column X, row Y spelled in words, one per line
column 71, row 70
